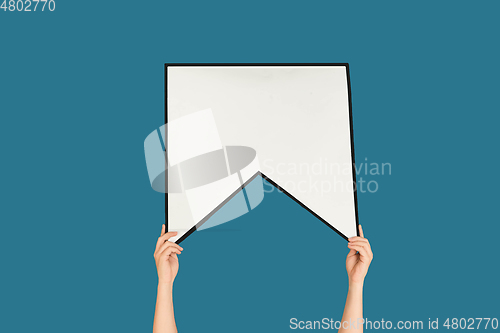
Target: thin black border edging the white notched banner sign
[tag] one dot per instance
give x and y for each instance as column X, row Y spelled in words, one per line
column 346, row 65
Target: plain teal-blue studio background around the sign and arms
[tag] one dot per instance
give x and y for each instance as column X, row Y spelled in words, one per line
column 81, row 88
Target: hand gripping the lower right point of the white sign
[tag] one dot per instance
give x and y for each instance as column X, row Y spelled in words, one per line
column 359, row 258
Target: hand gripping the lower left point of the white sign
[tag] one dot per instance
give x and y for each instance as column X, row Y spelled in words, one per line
column 166, row 259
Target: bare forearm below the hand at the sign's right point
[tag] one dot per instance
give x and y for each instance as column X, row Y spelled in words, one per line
column 352, row 319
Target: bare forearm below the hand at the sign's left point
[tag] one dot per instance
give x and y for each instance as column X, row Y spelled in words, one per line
column 164, row 321
